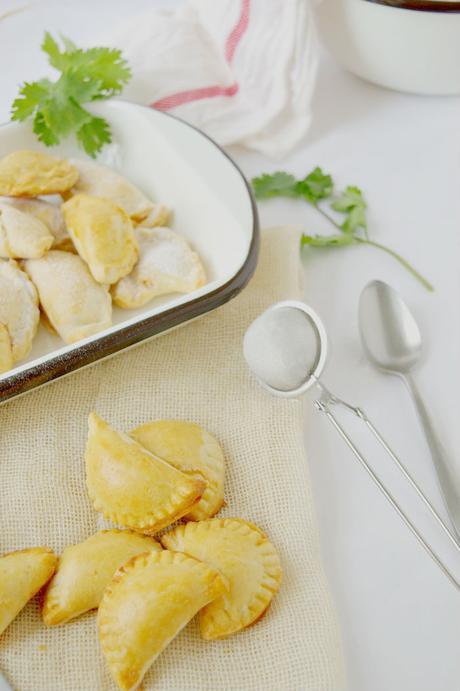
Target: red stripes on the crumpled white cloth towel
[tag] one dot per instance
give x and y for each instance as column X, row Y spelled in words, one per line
column 231, row 44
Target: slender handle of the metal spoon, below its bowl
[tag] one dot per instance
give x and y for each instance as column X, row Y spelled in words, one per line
column 449, row 480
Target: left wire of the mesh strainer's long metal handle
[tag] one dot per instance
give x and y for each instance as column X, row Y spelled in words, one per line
column 323, row 406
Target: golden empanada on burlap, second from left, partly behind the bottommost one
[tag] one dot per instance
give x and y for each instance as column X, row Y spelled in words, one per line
column 84, row 571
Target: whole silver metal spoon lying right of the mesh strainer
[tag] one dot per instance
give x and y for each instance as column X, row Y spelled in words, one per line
column 392, row 342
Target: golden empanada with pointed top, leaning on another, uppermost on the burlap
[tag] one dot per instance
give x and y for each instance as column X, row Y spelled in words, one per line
column 131, row 486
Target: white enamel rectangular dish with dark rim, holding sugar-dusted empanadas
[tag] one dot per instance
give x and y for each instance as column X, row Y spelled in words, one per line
column 213, row 208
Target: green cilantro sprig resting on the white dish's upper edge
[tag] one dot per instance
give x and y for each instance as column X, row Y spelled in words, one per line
column 56, row 107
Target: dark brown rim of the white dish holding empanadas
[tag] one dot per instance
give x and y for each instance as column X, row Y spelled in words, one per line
column 110, row 344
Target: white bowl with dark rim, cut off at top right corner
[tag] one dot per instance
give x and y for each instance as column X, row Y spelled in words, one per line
column 408, row 45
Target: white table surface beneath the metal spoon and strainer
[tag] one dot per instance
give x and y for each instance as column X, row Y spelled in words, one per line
column 399, row 615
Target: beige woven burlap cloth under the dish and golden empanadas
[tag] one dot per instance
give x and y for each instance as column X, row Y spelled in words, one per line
column 196, row 373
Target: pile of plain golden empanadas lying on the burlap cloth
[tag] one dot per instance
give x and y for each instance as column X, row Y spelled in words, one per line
column 146, row 590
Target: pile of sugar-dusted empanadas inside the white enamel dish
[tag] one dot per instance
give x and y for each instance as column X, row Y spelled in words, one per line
column 104, row 241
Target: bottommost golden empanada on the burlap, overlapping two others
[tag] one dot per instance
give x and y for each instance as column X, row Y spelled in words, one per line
column 147, row 604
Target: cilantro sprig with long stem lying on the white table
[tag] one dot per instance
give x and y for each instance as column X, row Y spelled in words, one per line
column 317, row 189
